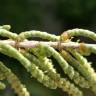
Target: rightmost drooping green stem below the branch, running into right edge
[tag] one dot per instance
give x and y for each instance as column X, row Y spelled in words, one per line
column 86, row 66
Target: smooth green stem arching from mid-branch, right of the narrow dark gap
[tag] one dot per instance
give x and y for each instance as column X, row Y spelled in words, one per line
column 74, row 75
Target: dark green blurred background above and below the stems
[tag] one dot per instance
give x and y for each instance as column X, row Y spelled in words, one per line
column 53, row 16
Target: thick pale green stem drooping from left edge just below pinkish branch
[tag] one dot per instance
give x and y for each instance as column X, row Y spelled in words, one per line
column 31, row 67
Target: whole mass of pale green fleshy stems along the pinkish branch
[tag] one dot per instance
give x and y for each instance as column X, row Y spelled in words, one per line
column 77, row 71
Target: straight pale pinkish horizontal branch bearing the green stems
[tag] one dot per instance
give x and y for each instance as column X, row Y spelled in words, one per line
column 32, row 44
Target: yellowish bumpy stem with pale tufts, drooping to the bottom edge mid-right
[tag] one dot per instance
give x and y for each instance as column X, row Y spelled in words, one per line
column 47, row 67
